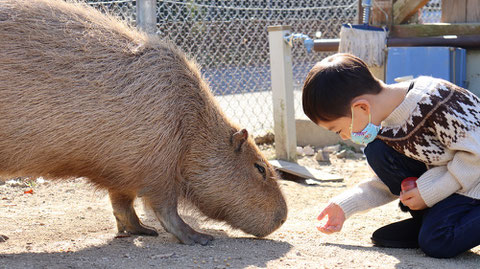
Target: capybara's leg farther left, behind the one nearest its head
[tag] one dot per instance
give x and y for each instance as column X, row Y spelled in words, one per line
column 124, row 212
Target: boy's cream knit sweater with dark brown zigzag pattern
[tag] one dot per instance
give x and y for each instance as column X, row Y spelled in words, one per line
column 438, row 124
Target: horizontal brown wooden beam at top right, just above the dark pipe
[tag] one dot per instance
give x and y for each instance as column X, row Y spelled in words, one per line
column 434, row 29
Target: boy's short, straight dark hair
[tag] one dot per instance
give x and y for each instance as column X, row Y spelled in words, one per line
column 333, row 83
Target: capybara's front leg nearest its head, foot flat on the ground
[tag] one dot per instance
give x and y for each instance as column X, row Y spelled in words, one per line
column 168, row 215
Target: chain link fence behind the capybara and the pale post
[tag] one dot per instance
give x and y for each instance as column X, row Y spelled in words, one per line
column 229, row 40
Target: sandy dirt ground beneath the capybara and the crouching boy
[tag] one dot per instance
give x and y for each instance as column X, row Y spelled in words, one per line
column 71, row 225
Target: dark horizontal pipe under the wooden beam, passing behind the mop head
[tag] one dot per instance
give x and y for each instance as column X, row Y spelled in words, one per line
column 468, row 42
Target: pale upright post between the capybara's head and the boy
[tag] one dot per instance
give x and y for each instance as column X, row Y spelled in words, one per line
column 282, row 93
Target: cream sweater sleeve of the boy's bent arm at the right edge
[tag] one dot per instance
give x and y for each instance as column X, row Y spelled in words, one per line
column 459, row 175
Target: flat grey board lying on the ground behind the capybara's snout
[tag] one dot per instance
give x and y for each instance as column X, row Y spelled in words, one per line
column 304, row 172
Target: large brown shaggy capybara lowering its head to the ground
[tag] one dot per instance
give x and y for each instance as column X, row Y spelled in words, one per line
column 84, row 95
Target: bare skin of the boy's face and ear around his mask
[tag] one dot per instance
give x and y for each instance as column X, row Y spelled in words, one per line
column 342, row 125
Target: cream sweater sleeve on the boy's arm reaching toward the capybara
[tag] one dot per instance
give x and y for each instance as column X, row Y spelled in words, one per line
column 366, row 195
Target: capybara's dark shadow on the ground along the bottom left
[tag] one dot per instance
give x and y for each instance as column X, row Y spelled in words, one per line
column 157, row 252
